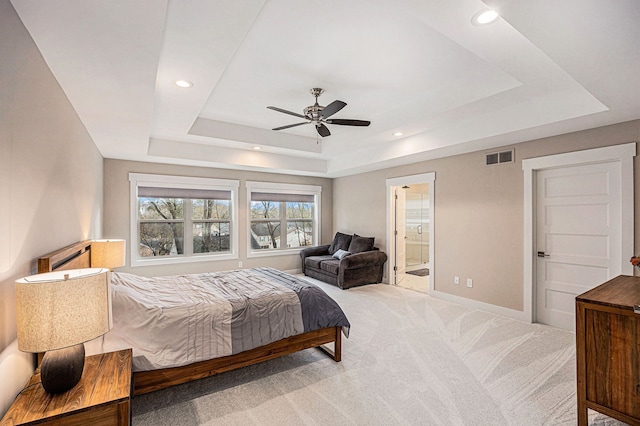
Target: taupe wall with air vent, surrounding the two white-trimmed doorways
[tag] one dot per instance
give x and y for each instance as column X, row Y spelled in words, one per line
column 478, row 212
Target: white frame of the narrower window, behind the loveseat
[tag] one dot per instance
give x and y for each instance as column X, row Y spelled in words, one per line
column 283, row 188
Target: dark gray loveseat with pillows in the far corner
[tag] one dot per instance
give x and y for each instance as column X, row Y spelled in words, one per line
column 349, row 261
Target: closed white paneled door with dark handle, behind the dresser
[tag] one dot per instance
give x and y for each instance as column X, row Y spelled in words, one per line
column 578, row 236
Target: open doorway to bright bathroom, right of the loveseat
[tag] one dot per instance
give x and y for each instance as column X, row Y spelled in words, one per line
column 410, row 231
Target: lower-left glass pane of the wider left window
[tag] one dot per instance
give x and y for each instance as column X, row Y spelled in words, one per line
column 161, row 239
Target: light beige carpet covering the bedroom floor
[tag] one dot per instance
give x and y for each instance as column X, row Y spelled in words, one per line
column 410, row 360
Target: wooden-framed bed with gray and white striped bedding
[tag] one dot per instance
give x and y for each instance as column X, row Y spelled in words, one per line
column 185, row 307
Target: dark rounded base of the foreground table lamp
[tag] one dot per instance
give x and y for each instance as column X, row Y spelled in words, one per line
column 61, row 369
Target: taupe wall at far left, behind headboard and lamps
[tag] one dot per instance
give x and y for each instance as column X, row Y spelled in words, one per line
column 50, row 181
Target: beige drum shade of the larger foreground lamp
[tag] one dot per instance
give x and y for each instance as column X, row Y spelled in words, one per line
column 63, row 308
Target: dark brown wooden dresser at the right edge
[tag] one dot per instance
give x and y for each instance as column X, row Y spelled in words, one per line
column 608, row 350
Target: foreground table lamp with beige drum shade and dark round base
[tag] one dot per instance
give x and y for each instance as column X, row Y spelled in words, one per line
column 56, row 313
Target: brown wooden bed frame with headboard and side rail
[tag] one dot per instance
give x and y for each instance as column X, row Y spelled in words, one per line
column 78, row 255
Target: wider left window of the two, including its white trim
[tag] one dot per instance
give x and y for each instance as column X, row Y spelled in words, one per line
column 182, row 219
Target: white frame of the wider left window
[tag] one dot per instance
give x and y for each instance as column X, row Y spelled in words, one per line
column 137, row 180
